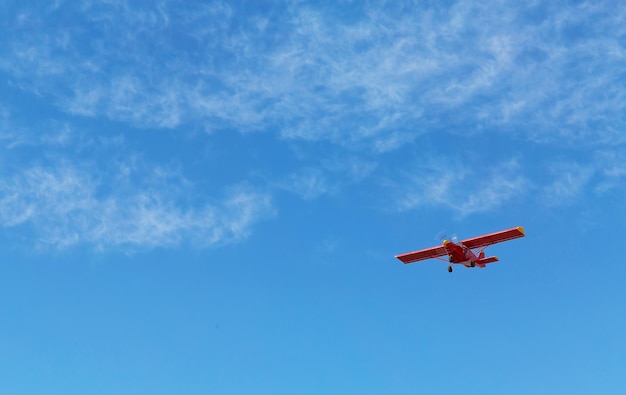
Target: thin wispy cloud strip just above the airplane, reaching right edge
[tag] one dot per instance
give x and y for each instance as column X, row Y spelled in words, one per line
column 555, row 182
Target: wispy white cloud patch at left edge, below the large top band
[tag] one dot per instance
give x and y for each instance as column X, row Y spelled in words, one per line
column 65, row 206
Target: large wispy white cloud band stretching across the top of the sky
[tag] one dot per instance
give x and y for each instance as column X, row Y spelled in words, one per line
column 381, row 76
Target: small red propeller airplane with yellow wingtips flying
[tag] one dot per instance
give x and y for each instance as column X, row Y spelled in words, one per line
column 461, row 252
